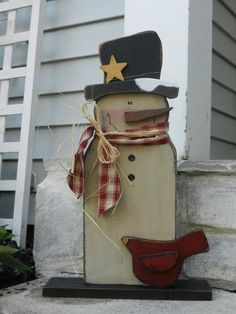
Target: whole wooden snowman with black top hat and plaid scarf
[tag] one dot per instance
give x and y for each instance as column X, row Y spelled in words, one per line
column 128, row 173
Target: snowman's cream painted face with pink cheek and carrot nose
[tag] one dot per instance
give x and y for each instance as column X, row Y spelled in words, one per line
column 114, row 111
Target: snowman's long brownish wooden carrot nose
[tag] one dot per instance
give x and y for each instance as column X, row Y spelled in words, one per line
column 140, row 115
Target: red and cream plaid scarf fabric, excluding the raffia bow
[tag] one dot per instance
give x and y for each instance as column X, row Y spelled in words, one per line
column 109, row 183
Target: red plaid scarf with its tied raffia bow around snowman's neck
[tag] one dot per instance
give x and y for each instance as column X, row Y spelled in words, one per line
column 109, row 189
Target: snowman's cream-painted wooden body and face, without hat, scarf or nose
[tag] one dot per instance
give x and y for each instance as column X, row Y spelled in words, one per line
column 146, row 209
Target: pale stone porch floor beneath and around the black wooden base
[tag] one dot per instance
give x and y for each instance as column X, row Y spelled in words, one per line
column 27, row 298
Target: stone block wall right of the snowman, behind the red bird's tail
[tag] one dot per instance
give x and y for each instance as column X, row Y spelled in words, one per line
column 206, row 198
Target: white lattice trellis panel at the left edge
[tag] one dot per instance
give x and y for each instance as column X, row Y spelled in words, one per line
column 21, row 185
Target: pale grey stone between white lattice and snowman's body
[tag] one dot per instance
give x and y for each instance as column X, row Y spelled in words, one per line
column 58, row 241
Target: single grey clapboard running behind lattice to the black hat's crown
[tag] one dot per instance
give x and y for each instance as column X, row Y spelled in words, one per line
column 66, row 44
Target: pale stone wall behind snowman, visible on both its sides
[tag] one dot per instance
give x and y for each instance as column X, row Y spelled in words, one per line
column 206, row 198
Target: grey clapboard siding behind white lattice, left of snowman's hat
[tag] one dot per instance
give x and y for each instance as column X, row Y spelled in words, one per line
column 73, row 30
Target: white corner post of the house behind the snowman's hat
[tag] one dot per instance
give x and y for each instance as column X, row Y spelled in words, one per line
column 186, row 60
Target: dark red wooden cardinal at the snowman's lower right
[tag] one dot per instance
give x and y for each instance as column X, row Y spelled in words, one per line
column 158, row 263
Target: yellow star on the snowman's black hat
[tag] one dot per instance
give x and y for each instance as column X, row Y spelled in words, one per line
column 113, row 69
